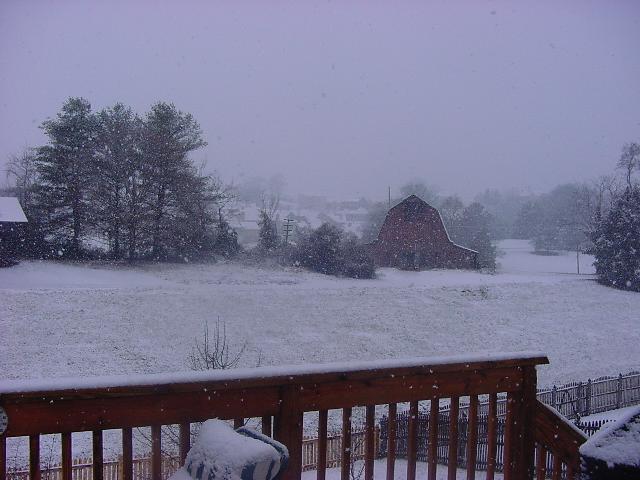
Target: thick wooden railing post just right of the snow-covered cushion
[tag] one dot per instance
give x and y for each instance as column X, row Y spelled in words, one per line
column 288, row 430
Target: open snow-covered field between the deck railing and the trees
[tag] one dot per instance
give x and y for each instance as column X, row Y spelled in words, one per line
column 72, row 319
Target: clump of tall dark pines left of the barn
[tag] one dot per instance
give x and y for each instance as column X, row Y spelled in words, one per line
column 120, row 184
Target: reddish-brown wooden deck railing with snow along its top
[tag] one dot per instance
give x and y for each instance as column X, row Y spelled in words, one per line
column 280, row 397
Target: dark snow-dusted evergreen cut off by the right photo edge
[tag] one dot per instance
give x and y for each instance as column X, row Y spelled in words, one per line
column 617, row 243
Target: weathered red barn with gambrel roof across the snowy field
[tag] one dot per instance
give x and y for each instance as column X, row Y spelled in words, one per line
column 414, row 237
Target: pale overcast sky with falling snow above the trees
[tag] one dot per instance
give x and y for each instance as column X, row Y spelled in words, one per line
column 345, row 99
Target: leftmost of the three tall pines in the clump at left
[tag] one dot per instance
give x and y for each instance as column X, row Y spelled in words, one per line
column 66, row 171
